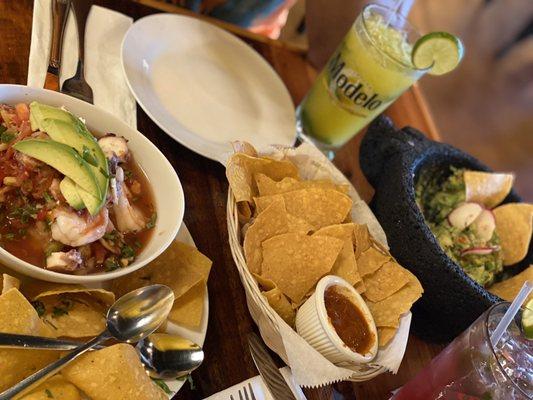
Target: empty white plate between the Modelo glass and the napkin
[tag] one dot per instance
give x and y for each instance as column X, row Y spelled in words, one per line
column 205, row 87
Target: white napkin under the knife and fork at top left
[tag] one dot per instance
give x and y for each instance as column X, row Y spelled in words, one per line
column 103, row 67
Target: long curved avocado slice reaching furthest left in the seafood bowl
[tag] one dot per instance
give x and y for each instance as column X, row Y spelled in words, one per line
column 65, row 159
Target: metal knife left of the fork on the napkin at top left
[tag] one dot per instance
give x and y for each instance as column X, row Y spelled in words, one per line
column 60, row 11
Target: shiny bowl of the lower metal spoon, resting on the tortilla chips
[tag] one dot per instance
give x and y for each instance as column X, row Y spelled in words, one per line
column 169, row 357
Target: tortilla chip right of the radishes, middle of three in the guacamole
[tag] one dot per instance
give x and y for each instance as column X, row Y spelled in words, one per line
column 514, row 225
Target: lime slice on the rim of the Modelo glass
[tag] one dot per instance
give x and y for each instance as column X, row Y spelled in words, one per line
column 440, row 51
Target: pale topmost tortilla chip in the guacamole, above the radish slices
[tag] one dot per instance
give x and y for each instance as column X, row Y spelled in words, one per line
column 487, row 188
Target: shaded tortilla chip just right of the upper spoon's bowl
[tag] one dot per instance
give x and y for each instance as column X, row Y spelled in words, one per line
column 188, row 310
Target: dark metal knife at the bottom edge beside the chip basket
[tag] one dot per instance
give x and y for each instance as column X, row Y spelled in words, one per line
column 268, row 370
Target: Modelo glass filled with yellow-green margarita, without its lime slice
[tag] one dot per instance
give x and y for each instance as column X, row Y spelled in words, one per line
column 368, row 71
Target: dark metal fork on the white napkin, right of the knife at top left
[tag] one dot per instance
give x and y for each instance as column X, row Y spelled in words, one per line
column 77, row 86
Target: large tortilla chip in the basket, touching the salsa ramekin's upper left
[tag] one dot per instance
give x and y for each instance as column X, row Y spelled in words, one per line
column 292, row 261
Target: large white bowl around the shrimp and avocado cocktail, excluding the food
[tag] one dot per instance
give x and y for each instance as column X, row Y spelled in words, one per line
column 166, row 186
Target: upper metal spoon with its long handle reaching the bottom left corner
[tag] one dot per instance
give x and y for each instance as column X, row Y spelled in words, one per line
column 133, row 317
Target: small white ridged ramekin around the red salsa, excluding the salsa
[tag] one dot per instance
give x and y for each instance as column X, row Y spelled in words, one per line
column 312, row 323
